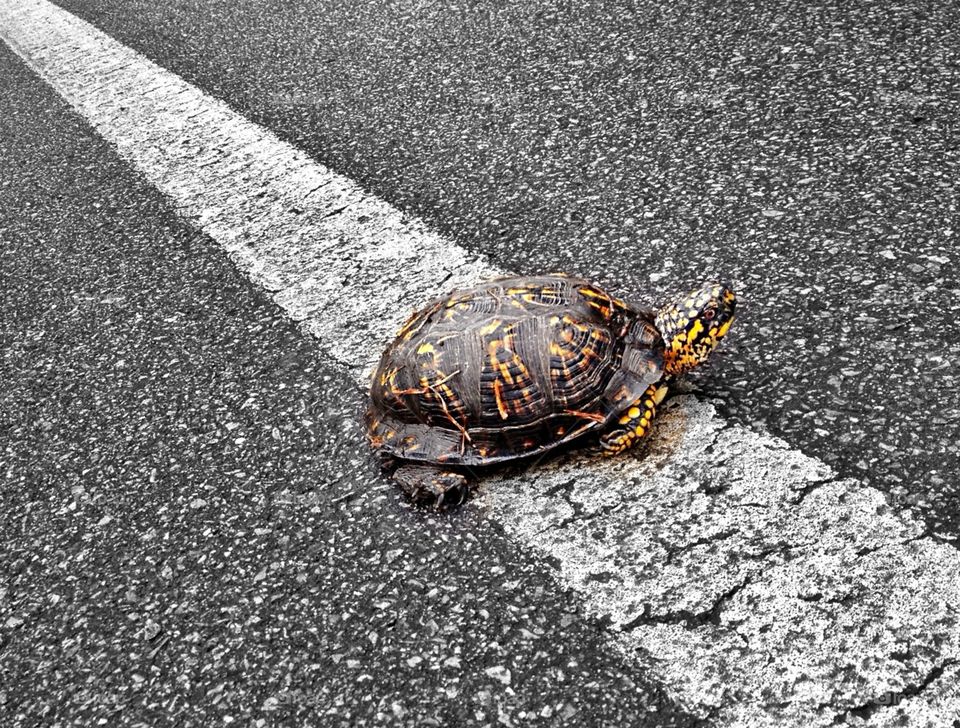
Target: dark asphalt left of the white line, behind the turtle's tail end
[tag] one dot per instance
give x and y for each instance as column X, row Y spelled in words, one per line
column 192, row 530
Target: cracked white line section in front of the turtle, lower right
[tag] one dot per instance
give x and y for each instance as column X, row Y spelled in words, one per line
column 752, row 576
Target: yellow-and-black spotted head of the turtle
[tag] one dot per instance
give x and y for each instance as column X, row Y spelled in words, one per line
column 692, row 325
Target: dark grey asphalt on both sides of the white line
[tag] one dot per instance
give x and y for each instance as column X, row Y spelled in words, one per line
column 805, row 154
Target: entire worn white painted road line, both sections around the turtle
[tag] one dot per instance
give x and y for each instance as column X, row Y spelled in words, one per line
column 759, row 588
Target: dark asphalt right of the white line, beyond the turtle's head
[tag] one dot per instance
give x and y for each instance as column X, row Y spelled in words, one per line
column 810, row 154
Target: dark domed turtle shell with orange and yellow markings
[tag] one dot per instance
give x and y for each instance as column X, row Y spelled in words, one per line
column 509, row 369
